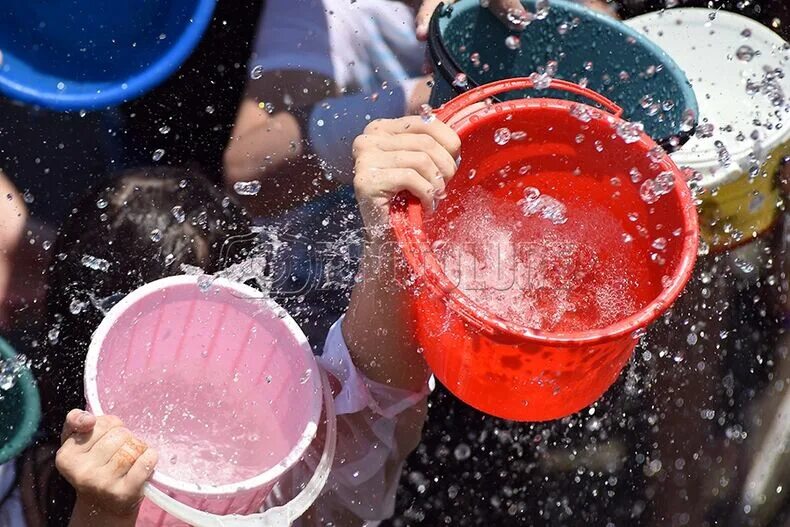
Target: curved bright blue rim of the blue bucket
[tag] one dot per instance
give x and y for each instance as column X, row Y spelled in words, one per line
column 109, row 94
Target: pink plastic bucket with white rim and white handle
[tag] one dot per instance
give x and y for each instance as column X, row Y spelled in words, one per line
column 224, row 385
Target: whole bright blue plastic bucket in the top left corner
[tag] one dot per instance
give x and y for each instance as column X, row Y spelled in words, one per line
column 73, row 54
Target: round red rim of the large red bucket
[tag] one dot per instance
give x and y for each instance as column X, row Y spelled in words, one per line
column 406, row 216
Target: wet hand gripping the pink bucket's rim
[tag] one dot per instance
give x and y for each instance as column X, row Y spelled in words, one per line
column 105, row 463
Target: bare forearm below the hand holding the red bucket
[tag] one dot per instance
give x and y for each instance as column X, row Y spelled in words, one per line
column 378, row 327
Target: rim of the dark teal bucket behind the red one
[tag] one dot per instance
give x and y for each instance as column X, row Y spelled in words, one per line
column 449, row 67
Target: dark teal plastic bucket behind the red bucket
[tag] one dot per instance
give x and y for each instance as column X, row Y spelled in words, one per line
column 615, row 60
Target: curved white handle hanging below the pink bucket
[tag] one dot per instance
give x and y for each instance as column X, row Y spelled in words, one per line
column 280, row 516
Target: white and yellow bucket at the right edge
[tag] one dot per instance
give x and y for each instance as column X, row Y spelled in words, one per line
column 738, row 159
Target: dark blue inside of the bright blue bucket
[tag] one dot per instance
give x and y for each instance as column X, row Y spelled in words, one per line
column 76, row 42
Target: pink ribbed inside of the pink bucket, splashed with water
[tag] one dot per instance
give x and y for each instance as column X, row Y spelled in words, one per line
column 217, row 383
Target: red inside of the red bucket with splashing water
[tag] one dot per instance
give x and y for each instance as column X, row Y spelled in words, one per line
column 600, row 256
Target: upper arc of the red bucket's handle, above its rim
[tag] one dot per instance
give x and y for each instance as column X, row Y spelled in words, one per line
column 481, row 93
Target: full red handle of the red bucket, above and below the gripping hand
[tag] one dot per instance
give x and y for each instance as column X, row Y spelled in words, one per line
column 410, row 207
